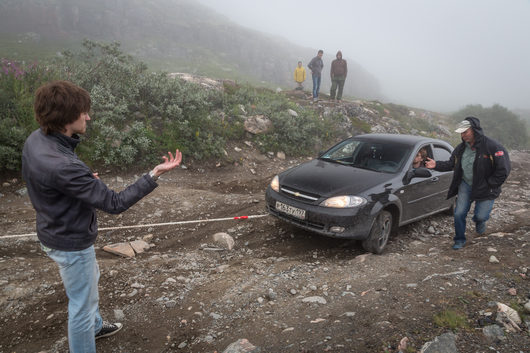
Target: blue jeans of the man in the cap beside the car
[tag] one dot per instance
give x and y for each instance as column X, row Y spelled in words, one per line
column 463, row 204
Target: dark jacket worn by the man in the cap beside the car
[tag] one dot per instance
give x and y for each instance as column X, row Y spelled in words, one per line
column 490, row 168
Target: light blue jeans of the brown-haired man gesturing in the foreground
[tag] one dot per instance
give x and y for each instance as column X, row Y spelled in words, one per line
column 80, row 274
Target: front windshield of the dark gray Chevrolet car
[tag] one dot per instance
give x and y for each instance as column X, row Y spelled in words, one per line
column 380, row 156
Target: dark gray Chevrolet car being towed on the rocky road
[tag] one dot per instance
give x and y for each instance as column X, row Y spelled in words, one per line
column 363, row 188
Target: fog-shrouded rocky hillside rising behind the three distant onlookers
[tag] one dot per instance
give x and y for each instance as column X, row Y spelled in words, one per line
column 173, row 35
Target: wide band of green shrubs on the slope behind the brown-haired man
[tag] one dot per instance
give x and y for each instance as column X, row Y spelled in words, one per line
column 138, row 115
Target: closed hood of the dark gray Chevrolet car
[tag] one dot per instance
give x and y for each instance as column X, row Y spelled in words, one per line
column 331, row 179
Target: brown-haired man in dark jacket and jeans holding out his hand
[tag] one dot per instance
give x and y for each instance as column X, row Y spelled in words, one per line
column 65, row 194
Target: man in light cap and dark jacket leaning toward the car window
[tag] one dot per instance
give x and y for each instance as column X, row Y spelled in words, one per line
column 481, row 165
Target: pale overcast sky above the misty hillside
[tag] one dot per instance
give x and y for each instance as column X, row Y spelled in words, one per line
column 435, row 54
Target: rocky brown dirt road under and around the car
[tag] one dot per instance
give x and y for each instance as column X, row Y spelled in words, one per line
column 281, row 288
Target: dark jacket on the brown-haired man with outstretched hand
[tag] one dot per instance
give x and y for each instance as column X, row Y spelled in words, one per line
column 65, row 193
